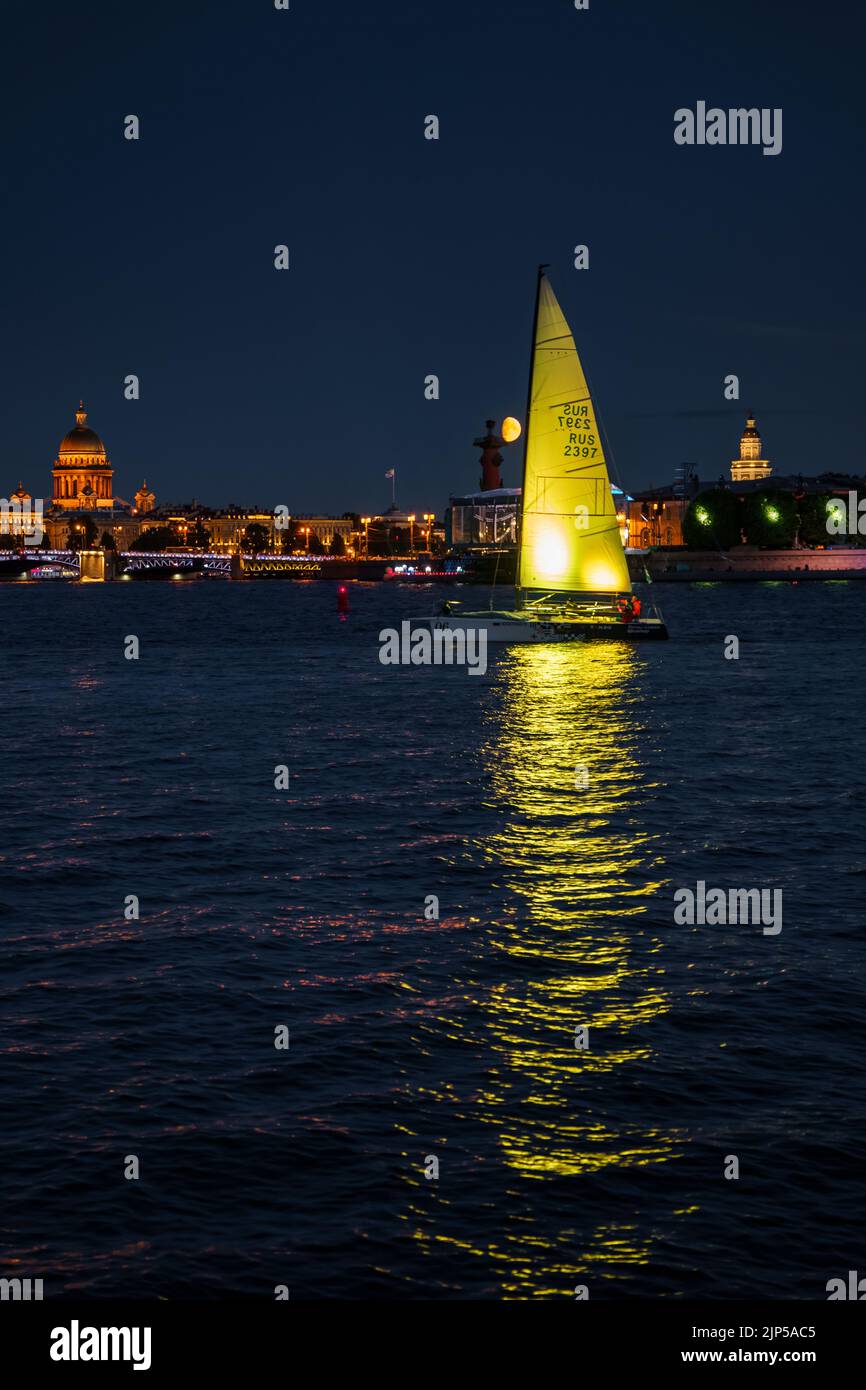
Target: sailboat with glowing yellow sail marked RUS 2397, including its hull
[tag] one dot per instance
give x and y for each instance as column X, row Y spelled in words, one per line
column 573, row 582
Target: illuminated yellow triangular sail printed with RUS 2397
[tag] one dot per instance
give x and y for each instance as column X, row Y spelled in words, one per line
column 571, row 537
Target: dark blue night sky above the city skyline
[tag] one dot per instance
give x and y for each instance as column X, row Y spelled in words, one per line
column 412, row 258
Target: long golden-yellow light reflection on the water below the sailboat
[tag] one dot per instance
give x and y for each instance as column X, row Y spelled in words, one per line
column 575, row 868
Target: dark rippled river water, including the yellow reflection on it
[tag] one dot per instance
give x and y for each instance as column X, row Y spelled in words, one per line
column 412, row 1039
